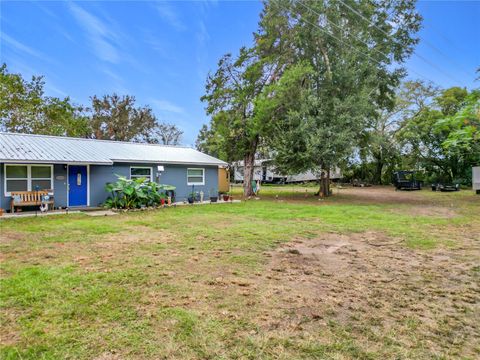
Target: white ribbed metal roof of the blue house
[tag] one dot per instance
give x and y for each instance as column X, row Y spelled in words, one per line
column 58, row 149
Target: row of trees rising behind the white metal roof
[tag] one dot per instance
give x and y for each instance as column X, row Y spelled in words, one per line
column 25, row 108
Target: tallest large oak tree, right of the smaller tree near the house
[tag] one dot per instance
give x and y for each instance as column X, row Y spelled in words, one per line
column 355, row 69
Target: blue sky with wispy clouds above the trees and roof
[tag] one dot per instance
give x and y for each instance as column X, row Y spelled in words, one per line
column 161, row 52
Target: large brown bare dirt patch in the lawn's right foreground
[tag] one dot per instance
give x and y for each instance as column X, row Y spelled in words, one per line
column 371, row 283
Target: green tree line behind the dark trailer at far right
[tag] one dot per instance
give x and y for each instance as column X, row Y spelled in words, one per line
column 431, row 130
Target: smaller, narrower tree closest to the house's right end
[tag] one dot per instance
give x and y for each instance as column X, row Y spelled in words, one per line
column 230, row 97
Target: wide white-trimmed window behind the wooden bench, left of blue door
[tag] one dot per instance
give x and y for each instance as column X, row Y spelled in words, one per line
column 27, row 178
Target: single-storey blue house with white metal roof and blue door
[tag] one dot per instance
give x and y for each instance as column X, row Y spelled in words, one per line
column 76, row 170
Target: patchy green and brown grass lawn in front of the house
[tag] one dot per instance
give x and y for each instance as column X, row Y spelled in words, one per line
column 367, row 274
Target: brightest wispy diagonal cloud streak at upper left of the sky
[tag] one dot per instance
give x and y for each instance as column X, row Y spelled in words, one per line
column 102, row 39
